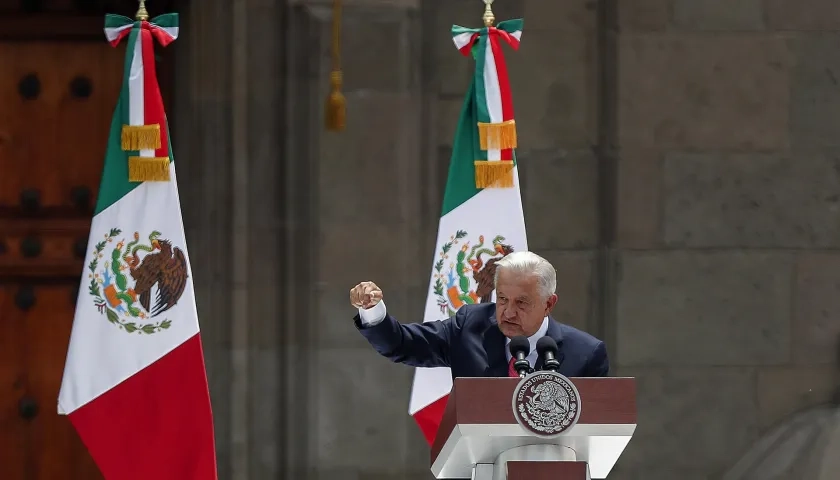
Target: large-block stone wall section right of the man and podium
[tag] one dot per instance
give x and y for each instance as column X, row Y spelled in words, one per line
column 728, row 178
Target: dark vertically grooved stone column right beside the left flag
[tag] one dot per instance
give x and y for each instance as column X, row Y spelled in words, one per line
column 229, row 143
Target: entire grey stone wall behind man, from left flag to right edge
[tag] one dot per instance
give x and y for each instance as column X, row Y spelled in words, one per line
column 678, row 168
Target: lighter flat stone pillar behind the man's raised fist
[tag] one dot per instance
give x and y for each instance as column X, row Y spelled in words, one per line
column 365, row 205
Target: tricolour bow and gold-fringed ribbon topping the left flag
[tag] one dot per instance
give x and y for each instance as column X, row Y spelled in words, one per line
column 142, row 115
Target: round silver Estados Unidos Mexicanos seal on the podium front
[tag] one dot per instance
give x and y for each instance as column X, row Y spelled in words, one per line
column 546, row 403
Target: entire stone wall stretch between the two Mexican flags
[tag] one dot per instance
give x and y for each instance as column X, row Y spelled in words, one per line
column 284, row 218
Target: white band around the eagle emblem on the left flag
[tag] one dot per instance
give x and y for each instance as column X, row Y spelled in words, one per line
column 101, row 355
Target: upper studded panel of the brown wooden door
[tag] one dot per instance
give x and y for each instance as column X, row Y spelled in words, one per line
column 57, row 100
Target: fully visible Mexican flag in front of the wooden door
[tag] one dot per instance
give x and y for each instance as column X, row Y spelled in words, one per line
column 134, row 383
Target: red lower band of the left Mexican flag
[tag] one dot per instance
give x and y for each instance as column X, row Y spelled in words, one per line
column 157, row 424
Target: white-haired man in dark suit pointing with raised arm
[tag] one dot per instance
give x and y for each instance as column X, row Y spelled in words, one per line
column 473, row 342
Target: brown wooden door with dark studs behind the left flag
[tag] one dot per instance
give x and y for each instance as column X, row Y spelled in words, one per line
column 56, row 102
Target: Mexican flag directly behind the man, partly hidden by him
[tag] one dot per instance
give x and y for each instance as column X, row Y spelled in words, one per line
column 482, row 219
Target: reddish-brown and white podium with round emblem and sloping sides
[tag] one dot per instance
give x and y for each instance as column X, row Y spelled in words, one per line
column 544, row 426
